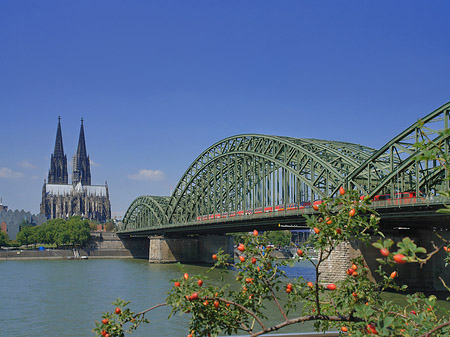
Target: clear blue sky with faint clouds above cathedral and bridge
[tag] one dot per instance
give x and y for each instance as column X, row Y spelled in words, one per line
column 158, row 82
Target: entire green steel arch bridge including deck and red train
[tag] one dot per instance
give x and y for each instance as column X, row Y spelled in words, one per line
column 260, row 181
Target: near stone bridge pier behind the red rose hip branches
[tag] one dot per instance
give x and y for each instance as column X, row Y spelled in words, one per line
column 418, row 278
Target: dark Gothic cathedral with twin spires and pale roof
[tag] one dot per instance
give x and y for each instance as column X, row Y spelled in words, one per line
column 61, row 199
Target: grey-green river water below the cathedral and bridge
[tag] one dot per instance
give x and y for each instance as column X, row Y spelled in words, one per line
column 64, row 297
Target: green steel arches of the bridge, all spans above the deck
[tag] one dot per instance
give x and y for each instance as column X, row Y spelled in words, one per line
column 251, row 171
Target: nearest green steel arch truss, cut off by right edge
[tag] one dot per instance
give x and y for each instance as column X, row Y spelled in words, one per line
column 396, row 168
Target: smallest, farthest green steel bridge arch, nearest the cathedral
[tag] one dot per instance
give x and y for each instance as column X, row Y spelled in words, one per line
column 146, row 212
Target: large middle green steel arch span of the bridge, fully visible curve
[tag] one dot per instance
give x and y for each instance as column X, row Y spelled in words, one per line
column 247, row 173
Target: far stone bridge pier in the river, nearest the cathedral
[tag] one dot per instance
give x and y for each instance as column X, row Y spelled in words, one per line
column 198, row 249
